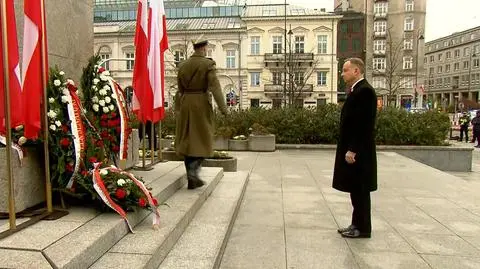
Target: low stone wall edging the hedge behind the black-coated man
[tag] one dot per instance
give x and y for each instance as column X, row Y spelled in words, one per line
column 445, row 158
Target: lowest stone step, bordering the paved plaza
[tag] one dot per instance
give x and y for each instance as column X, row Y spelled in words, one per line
column 203, row 243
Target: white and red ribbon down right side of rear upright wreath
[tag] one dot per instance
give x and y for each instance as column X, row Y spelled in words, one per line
column 120, row 100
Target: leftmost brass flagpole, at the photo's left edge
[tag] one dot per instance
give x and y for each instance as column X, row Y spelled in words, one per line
column 8, row 146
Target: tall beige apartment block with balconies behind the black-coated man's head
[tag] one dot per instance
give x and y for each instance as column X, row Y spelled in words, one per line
column 394, row 42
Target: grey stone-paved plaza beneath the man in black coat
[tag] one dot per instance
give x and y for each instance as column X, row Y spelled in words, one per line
column 422, row 217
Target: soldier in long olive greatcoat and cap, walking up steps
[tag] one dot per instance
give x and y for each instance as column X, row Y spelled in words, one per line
column 194, row 130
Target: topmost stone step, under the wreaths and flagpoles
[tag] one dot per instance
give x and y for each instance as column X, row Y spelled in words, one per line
column 82, row 237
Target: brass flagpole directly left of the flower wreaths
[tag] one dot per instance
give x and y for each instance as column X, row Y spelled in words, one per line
column 48, row 185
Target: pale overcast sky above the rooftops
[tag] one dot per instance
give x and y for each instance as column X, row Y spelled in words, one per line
column 444, row 17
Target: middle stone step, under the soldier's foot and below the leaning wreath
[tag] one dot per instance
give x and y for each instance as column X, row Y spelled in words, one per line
column 146, row 247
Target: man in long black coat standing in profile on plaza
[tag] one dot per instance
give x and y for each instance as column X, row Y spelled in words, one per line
column 356, row 159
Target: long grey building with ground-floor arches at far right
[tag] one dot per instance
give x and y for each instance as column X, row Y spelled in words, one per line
column 452, row 65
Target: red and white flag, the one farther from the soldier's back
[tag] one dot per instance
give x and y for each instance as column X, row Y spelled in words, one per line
column 140, row 72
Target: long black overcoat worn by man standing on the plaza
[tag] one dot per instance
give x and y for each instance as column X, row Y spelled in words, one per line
column 357, row 124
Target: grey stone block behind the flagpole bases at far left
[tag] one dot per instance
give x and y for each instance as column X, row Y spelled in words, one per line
column 29, row 179
